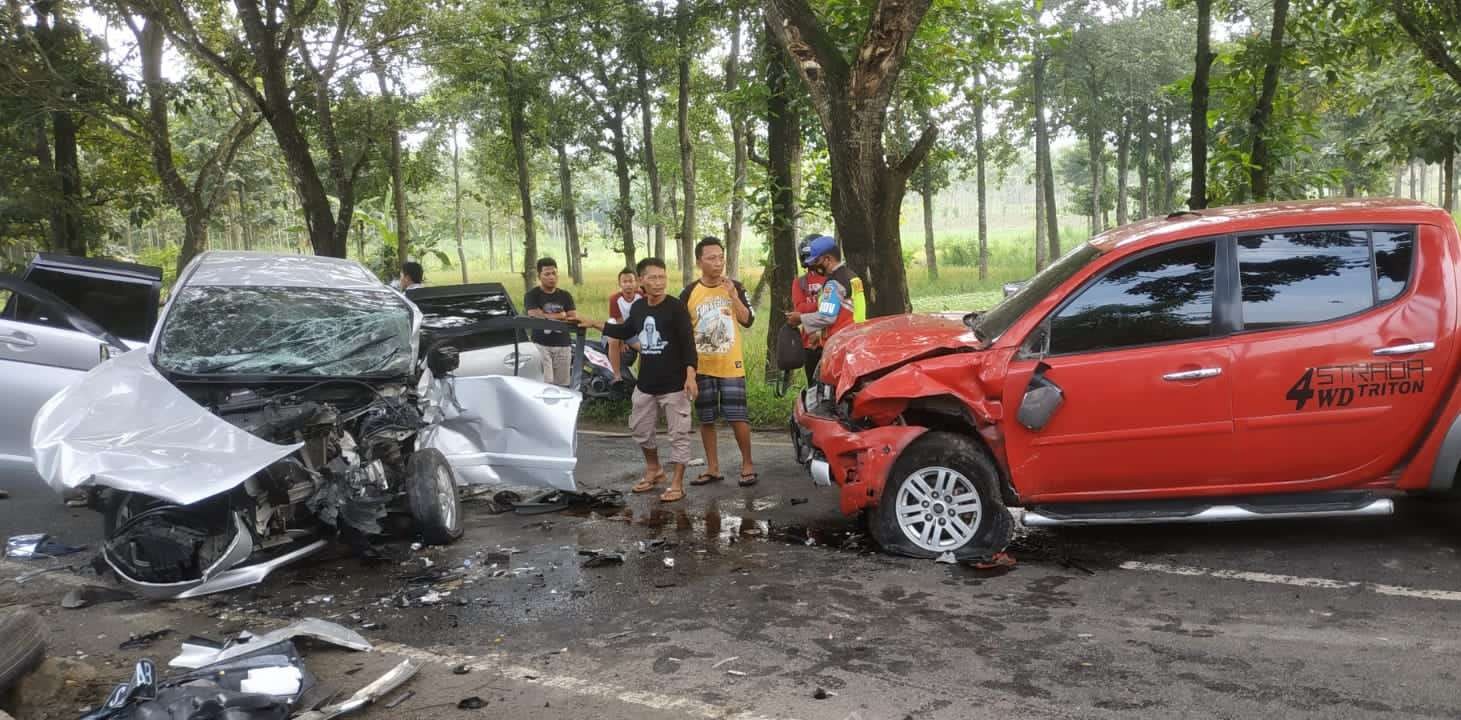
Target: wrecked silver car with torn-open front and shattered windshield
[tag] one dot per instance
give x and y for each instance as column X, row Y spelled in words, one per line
column 281, row 402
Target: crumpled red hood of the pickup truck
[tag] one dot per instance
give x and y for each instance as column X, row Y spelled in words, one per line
column 889, row 342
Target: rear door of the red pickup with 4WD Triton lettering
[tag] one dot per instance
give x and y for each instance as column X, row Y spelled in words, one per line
column 1345, row 341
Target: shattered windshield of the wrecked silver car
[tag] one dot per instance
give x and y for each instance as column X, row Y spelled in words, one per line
column 286, row 332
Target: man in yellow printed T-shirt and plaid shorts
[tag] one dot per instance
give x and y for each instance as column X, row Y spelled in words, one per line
column 720, row 309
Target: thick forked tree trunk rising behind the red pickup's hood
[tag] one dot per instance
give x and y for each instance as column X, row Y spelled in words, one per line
column 851, row 99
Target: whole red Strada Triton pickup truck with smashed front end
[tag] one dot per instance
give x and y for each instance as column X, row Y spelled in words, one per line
column 1289, row 360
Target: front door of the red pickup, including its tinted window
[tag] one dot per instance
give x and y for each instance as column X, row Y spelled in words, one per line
column 1145, row 369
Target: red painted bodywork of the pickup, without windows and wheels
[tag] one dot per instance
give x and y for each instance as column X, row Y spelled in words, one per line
column 1365, row 421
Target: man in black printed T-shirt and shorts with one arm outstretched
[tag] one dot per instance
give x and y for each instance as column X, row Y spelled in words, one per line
column 667, row 380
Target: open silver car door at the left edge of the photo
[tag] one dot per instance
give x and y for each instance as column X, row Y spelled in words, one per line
column 45, row 347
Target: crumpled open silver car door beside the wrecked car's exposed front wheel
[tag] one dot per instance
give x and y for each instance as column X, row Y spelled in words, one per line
column 500, row 429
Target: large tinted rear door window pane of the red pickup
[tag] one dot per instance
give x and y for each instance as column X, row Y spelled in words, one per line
column 1294, row 278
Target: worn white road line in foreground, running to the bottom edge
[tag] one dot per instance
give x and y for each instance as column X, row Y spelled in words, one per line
column 575, row 686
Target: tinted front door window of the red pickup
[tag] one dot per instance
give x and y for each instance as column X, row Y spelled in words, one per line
column 1162, row 297
